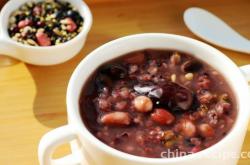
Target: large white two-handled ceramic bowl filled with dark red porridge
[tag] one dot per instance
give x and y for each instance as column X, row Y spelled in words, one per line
column 99, row 153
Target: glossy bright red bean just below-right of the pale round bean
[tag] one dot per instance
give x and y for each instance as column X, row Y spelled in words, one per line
column 162, row 116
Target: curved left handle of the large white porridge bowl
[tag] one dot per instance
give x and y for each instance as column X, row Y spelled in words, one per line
column 54, row 139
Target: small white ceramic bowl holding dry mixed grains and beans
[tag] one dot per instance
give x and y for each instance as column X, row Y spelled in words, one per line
column 50, row 55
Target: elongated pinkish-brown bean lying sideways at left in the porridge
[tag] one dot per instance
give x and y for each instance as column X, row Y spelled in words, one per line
column 116, row 118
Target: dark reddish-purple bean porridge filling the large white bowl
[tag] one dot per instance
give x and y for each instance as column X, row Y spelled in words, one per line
column 150, row 102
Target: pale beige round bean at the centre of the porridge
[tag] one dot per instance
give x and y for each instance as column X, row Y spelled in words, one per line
column 143, row 104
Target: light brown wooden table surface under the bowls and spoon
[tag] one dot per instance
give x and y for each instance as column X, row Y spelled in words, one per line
column 32, row 98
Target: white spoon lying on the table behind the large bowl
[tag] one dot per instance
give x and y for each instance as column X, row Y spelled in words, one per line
column 212, row 29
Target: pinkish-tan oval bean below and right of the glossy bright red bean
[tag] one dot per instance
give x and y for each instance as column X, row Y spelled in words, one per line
column 188, row 128
